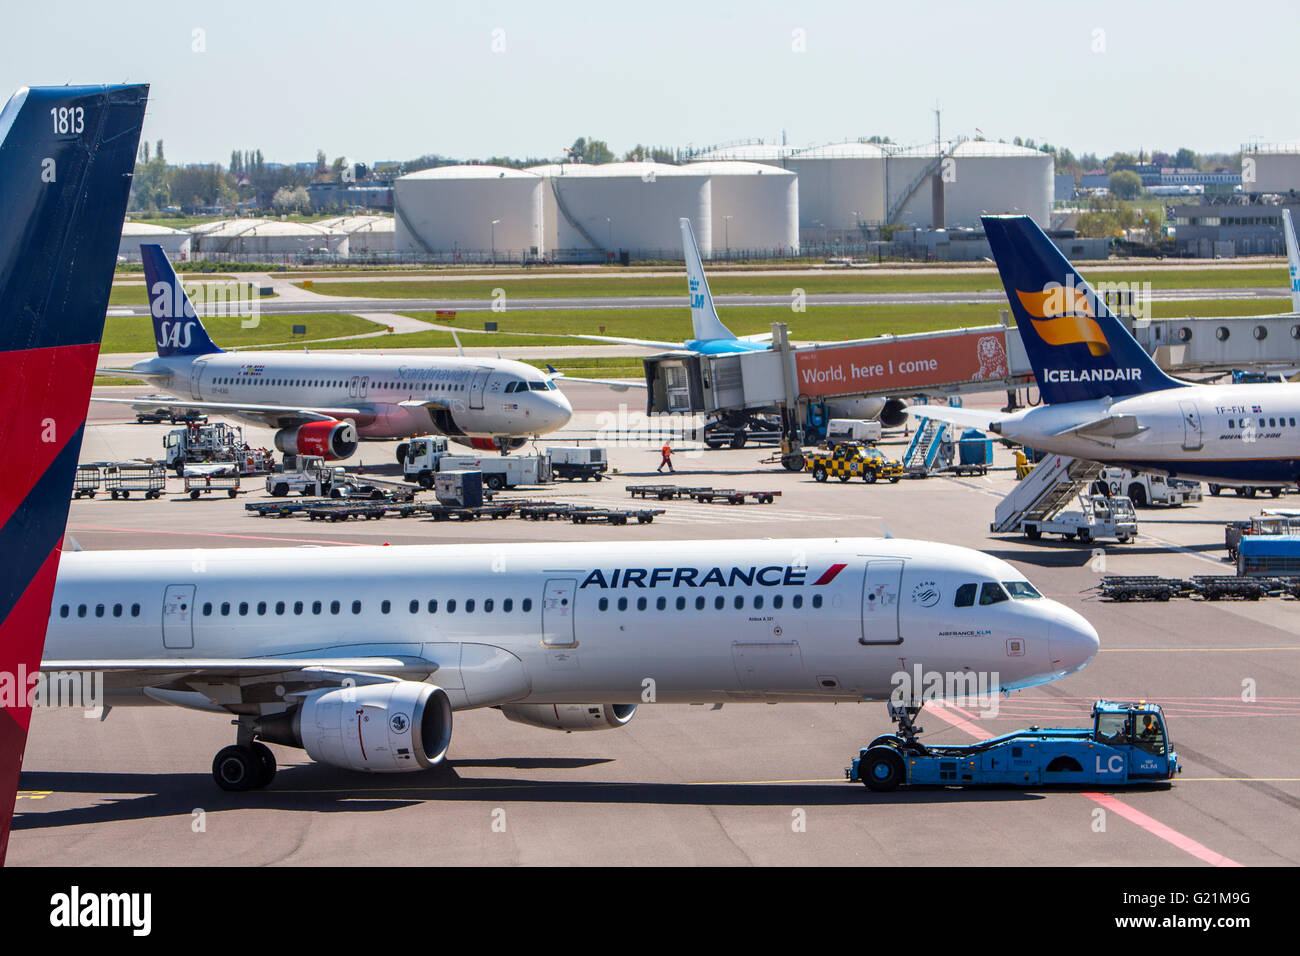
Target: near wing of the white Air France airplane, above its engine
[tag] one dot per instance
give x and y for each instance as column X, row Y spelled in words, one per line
column 239, row 684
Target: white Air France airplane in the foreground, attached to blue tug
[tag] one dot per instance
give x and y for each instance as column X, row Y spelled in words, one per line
column 359, row 656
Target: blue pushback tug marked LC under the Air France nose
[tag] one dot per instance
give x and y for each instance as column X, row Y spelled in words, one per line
column 1126, row 746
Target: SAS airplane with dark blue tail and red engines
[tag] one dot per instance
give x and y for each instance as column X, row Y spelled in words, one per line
column 323, row 404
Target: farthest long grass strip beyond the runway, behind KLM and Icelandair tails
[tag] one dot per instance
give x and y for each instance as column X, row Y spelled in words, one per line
column 782, row 285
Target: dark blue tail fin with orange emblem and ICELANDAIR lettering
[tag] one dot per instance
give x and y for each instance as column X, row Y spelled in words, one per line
column 1077, row 347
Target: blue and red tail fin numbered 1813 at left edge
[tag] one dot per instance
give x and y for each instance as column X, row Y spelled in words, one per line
column 67, row 157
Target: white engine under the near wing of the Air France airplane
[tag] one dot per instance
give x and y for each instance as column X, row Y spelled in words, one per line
column 392, row 728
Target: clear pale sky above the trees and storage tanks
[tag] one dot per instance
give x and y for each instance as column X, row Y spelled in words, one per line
column 397, row 80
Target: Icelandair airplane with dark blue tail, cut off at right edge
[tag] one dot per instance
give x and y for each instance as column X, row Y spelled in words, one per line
column 1106, row 400
